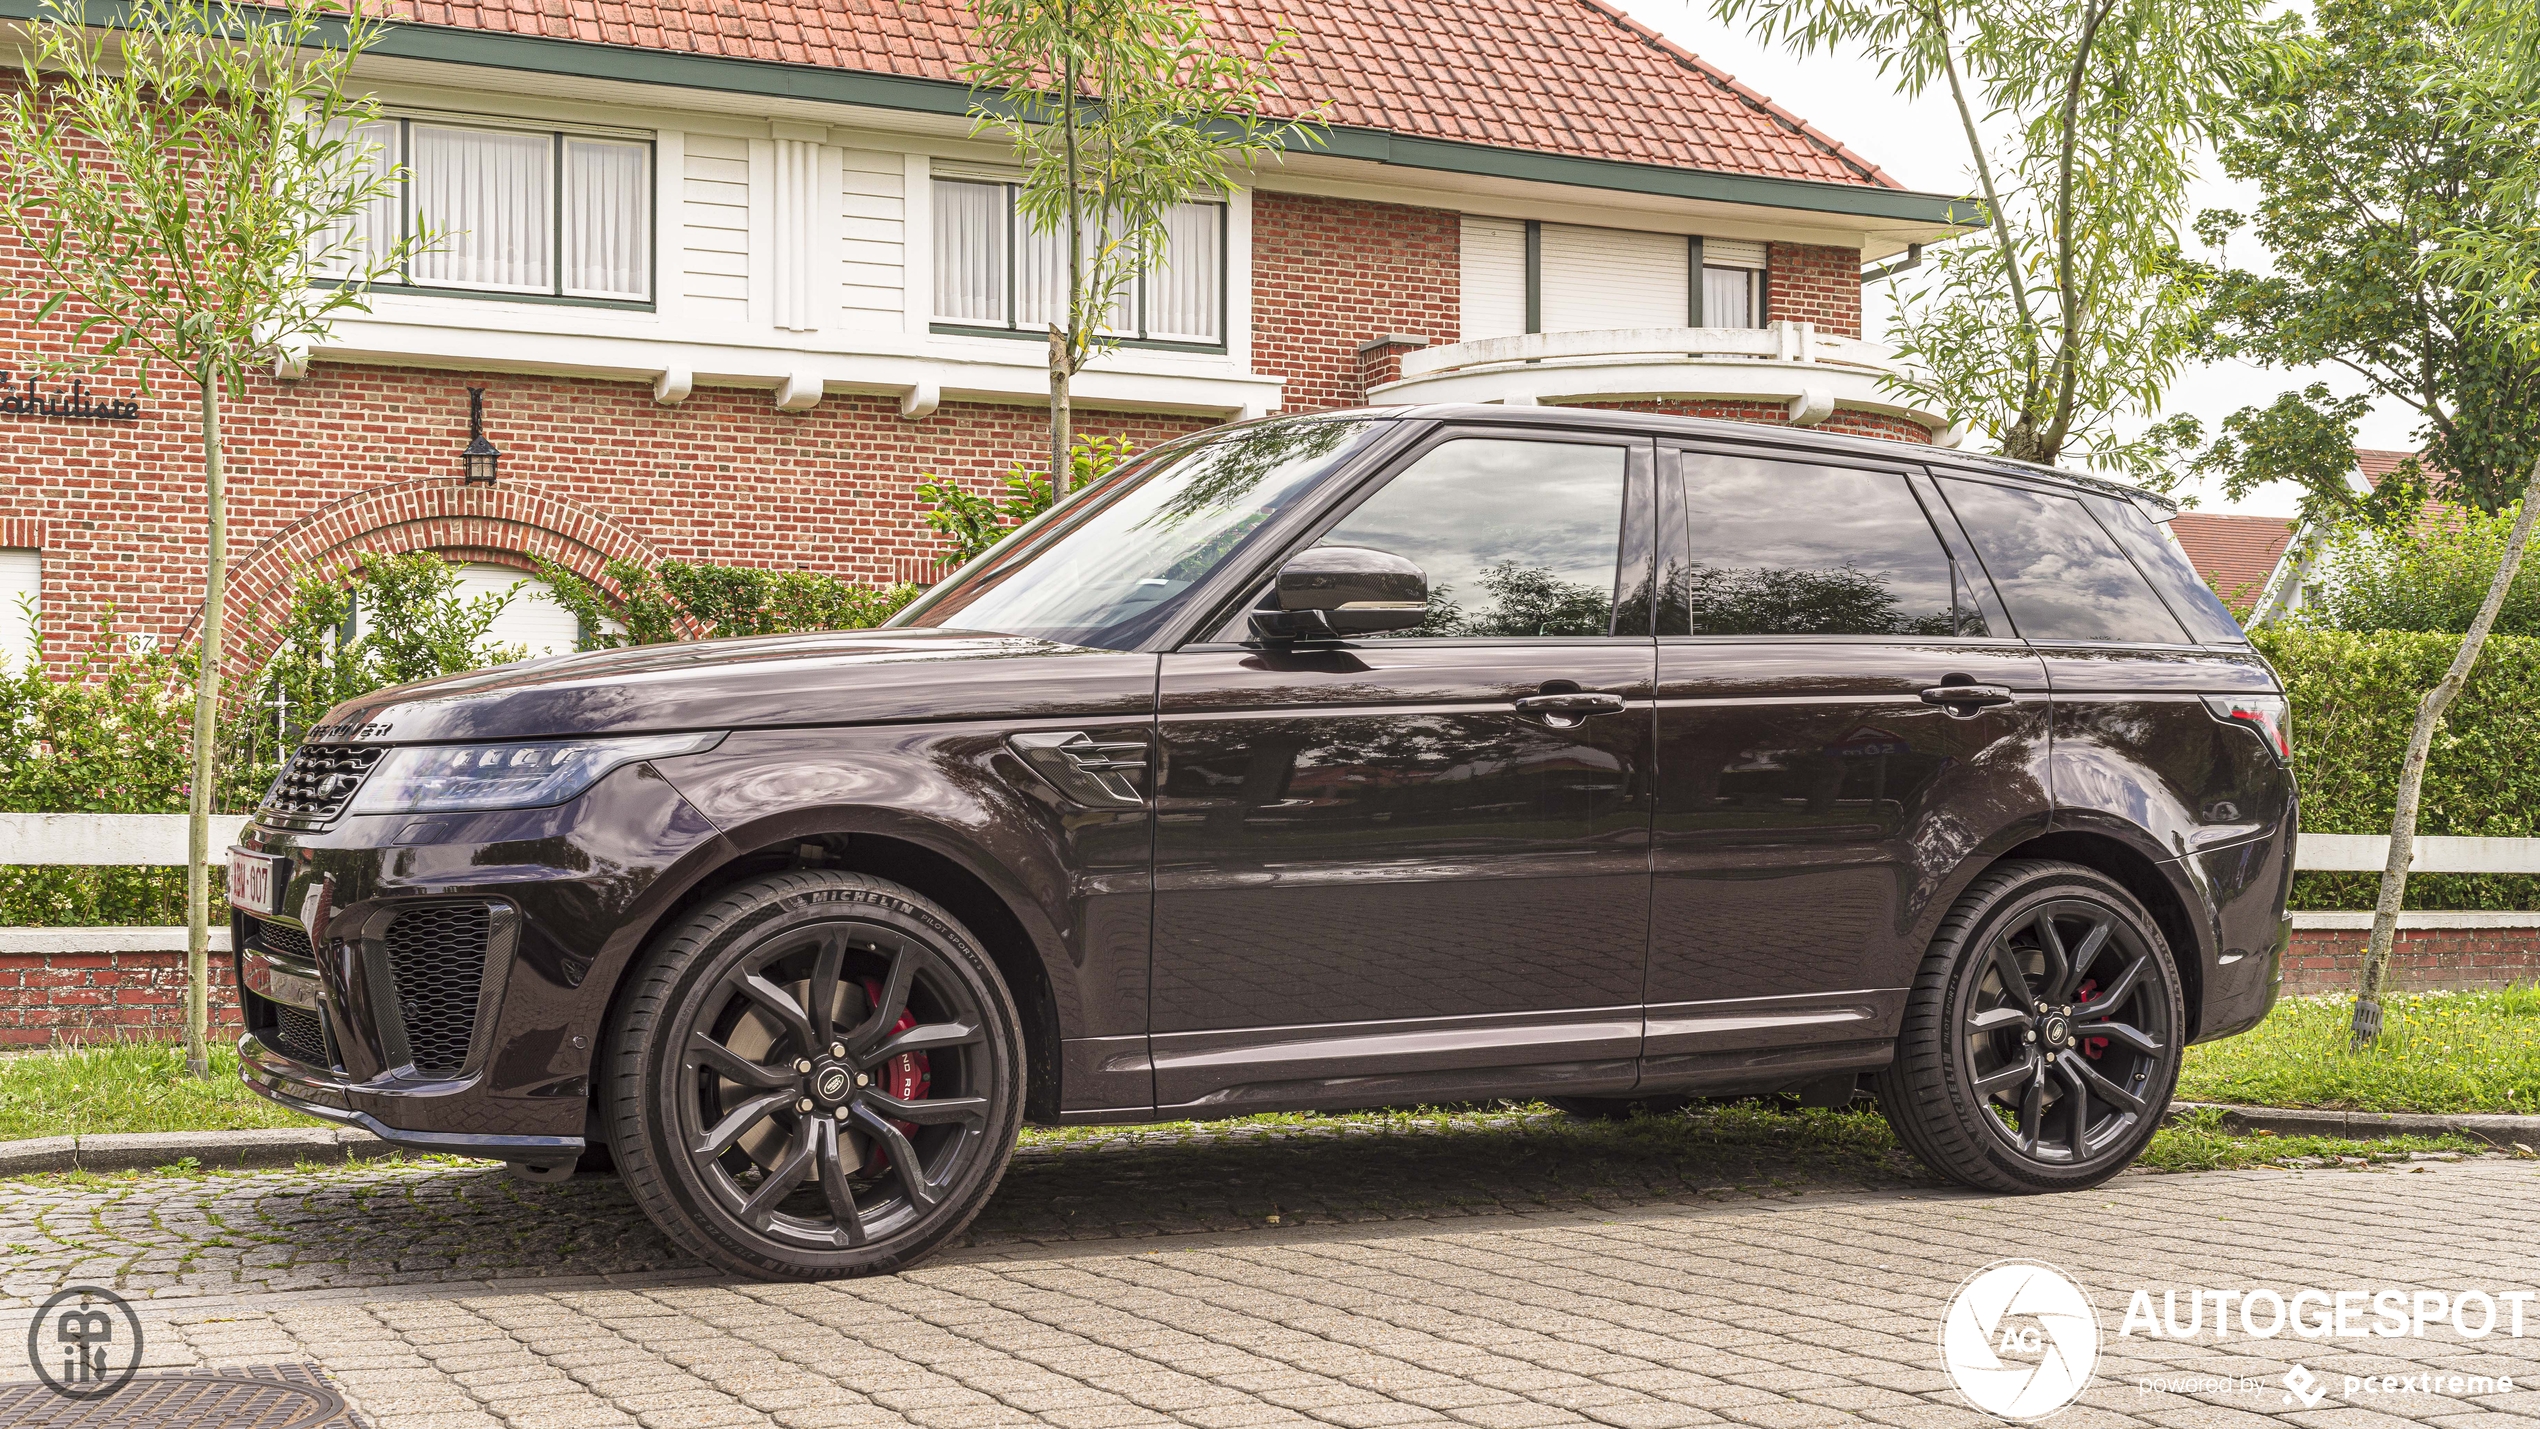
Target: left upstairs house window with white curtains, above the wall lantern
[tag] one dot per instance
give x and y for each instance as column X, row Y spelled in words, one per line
column 517, row 212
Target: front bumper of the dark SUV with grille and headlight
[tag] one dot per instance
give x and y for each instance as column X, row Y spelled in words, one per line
column 443, row 981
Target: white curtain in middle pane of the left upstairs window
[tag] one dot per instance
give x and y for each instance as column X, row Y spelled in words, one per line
column 486, row 199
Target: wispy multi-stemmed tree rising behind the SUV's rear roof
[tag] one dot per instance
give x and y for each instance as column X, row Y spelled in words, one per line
column 2069, row 313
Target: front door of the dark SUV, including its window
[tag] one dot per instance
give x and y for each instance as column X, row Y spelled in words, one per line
column 1408, row 867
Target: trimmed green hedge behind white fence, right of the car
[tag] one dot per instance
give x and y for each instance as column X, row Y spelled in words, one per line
column 2353, row 707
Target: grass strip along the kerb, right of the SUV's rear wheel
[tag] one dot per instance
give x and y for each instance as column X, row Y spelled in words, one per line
column 2440, row 1052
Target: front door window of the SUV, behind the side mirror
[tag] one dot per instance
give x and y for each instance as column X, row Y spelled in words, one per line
column 1515, row 537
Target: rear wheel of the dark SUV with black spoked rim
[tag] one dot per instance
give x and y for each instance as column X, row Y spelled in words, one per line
column 2043, row 1034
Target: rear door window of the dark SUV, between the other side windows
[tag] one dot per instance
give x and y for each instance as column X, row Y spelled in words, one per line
column 1802, row 550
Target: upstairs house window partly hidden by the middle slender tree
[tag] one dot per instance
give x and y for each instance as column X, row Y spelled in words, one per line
column 997, row 275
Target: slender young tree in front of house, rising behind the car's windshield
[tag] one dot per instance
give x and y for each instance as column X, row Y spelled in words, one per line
column 1119, row 110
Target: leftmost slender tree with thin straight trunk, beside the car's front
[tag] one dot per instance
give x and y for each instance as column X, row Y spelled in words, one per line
column 192, row 192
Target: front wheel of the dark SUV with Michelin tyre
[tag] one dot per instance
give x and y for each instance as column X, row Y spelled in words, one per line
column 817, row 1075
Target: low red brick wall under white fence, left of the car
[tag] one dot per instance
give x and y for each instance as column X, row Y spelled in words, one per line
column 105, row 996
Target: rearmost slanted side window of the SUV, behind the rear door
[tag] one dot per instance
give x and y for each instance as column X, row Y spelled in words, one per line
column 2059, row 570
